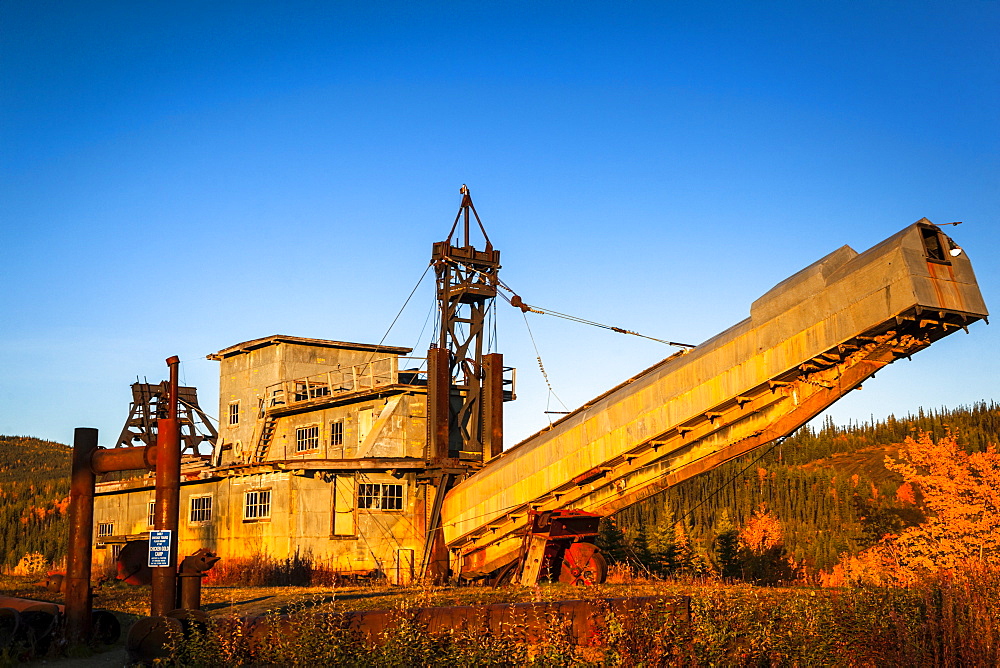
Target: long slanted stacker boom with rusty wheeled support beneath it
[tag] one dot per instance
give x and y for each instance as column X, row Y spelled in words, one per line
column 811, row 339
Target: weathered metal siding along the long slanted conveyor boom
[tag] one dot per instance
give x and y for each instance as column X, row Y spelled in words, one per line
column 827, row 304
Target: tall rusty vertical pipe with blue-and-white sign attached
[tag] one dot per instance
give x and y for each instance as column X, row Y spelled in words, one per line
column 168, row 492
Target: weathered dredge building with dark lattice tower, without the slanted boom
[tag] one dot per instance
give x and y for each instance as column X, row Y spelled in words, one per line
column 324, row 448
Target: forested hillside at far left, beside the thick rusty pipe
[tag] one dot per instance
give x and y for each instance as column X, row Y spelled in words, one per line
column 34, row 496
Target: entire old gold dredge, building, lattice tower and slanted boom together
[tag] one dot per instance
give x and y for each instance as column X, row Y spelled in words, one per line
column 380, row 464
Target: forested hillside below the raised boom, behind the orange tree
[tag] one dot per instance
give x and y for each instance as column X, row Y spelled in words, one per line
column 824, row 491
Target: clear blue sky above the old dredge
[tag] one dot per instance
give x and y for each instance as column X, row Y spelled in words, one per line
column 179, row 177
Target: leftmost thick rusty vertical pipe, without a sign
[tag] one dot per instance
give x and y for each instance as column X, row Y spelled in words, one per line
column 81, row 536
